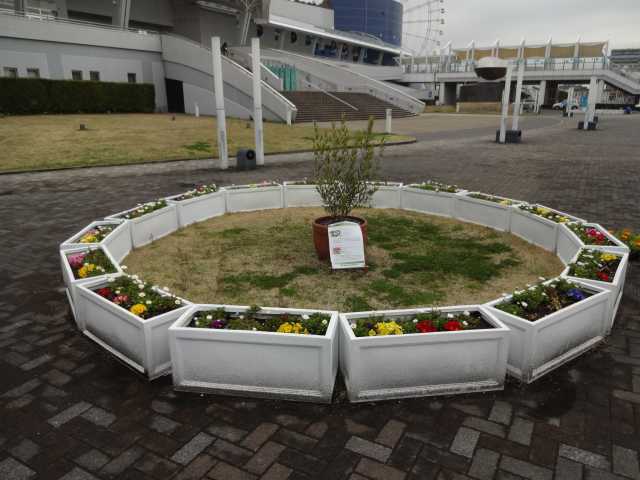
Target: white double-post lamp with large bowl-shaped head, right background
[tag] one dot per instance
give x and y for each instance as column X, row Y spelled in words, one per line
column 493, row 69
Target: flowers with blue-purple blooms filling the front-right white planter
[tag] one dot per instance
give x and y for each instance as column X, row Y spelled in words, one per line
column 540, row 300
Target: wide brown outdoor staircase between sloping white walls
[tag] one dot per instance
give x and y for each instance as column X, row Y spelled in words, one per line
column 323, row 107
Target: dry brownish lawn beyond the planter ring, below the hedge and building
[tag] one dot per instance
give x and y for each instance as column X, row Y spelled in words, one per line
column 55, row 141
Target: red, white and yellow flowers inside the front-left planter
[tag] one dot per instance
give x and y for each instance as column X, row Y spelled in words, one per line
column 138, row 297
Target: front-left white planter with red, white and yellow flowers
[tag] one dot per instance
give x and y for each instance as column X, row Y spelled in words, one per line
column 130, row 319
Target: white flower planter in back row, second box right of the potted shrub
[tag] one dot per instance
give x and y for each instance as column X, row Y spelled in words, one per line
column 431, row 197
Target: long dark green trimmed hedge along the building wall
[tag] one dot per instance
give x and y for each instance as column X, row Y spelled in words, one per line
column 23, row 96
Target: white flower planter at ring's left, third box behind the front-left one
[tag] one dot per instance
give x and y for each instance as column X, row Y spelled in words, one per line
column 149, row 221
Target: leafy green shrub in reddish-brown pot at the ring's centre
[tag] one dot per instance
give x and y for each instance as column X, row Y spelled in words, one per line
column 345, row 168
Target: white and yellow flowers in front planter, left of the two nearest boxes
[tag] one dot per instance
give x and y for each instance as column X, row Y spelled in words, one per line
column 254, row 320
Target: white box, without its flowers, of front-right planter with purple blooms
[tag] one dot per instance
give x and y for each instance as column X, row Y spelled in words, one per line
column 537, row 348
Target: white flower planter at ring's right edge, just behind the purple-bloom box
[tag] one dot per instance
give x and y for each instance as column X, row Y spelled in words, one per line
column 603, row 269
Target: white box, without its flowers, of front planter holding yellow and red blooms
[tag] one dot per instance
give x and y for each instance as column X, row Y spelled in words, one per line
column 422, row 364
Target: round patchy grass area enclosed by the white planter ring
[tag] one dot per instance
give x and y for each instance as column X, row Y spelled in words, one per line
column 268, row 258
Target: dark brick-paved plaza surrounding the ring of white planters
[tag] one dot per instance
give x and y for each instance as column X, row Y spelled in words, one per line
column 68, row 410
